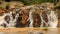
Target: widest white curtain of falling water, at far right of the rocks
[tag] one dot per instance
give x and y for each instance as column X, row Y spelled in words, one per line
column 52, row 19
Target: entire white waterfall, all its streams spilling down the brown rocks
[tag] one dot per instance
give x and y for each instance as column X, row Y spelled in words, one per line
column 52, row 19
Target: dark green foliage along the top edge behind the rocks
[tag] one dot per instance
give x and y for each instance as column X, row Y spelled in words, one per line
column 29, row 2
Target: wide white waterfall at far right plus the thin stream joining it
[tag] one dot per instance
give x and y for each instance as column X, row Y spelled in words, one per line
column 52, row 20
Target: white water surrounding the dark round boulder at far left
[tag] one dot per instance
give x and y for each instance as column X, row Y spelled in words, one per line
column 11, row 22
